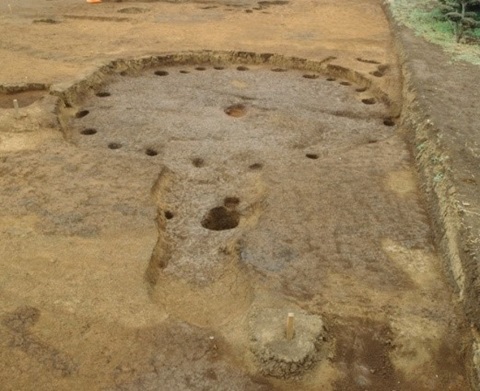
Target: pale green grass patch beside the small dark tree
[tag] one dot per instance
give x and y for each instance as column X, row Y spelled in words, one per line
column 423, row 18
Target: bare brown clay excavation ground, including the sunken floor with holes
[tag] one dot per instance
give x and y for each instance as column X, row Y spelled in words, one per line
column 109, row 279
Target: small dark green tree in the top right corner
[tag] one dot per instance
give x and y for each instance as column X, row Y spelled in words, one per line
column 457, row 12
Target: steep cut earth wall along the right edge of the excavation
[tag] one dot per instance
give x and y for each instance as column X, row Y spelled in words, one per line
column 453, row 235
